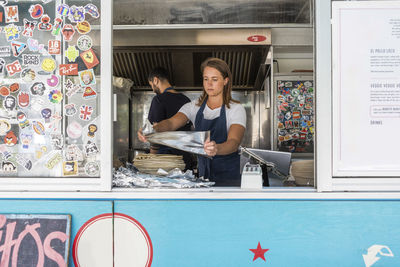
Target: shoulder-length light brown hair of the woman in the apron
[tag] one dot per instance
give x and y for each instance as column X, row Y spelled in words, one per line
column 223, row 68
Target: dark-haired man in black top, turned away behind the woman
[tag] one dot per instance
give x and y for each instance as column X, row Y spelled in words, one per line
column 165, row 104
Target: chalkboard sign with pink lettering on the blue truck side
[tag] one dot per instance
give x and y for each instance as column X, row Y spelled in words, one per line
column 34, row 240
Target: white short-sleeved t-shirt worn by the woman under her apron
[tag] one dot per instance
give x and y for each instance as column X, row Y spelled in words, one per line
column 236, row 114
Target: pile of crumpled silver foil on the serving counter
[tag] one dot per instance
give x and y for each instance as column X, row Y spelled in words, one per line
column 131, row 177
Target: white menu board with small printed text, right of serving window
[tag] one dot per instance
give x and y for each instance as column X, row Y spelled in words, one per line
column 366, row 88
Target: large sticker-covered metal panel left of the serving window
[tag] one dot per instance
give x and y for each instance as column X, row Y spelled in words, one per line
column 55, row 59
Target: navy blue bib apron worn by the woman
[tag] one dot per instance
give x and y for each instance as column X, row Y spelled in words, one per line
column 224, row 170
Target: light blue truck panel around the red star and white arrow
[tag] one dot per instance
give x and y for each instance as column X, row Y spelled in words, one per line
column 297, row 233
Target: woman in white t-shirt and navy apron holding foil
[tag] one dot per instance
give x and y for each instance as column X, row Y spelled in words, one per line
column 223, row 116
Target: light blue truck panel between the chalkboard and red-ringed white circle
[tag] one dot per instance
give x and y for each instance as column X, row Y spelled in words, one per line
column 81, row 211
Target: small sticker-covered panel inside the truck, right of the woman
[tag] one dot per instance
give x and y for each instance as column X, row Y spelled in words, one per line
column 293, row 113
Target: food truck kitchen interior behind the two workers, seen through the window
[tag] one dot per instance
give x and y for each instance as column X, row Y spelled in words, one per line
column 272, row 78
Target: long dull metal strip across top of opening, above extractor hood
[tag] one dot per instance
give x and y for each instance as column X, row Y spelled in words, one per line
column 155, row 12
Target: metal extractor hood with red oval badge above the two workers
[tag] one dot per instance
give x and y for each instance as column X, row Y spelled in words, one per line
column 181, row 51
